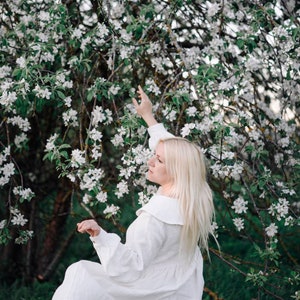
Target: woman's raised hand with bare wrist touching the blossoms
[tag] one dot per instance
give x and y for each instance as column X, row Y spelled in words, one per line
column 144, row 109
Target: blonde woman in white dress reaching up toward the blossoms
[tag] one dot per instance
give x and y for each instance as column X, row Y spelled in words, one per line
column 161, row 258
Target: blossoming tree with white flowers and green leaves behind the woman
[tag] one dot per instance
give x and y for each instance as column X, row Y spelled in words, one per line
column 224, row 74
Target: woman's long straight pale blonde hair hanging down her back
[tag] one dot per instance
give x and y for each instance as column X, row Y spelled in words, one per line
column 185, row 163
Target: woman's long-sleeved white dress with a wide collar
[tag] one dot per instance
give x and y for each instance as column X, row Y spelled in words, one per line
column 148, row 266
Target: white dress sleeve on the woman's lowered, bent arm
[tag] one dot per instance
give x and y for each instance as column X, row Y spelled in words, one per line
column 125, row 262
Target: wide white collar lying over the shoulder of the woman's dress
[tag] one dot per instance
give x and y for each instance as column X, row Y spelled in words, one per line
column 164, row 209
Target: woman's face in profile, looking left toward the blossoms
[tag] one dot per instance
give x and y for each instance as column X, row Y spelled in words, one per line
column 157, row 172
